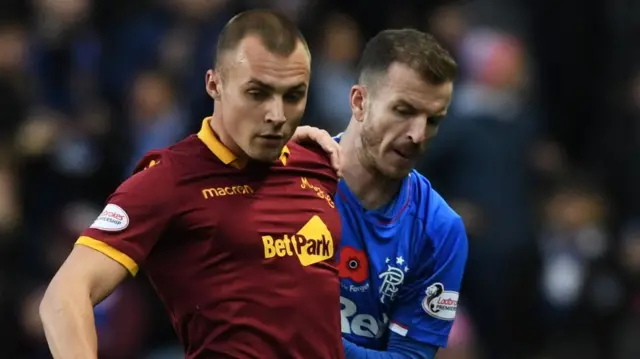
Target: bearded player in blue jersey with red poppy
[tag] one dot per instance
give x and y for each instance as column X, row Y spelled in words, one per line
column 404, row 249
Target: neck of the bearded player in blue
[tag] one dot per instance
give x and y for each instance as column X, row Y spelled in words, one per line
column 365, row 181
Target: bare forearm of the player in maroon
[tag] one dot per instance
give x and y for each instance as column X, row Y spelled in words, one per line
column 67, row 317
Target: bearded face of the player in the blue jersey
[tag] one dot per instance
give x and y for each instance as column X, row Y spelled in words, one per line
column 398, row 116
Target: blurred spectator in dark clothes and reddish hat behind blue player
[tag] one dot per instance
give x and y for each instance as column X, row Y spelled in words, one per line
column 482, row 160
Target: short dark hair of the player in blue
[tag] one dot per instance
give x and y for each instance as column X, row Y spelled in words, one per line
column 418, row 50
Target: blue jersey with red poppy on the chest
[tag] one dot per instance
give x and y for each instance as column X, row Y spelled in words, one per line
column 400, row 266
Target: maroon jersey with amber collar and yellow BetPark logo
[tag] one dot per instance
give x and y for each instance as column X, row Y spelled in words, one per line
column 242, row 255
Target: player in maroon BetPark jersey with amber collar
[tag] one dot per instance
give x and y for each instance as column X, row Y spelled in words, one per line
column 235, row 229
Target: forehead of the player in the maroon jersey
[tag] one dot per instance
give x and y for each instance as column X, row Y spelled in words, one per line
column 252, row 60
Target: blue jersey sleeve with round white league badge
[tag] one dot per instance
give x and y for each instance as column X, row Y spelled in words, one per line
column 427, row 308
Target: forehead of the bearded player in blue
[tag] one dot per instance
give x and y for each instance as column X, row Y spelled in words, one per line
column 405, row 84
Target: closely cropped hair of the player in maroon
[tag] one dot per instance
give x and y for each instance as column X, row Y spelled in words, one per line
column 278, row 33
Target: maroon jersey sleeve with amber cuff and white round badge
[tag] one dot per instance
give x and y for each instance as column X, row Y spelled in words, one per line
column 134, row 216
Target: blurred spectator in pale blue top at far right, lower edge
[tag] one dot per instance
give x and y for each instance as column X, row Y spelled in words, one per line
column 579, row 285
